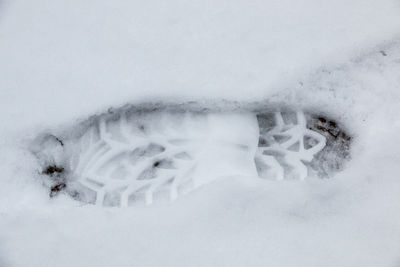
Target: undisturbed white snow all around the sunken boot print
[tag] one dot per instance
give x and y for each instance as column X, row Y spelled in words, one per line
column 63, row 61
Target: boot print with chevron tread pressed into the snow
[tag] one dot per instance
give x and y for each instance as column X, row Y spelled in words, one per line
column 126, row 156
